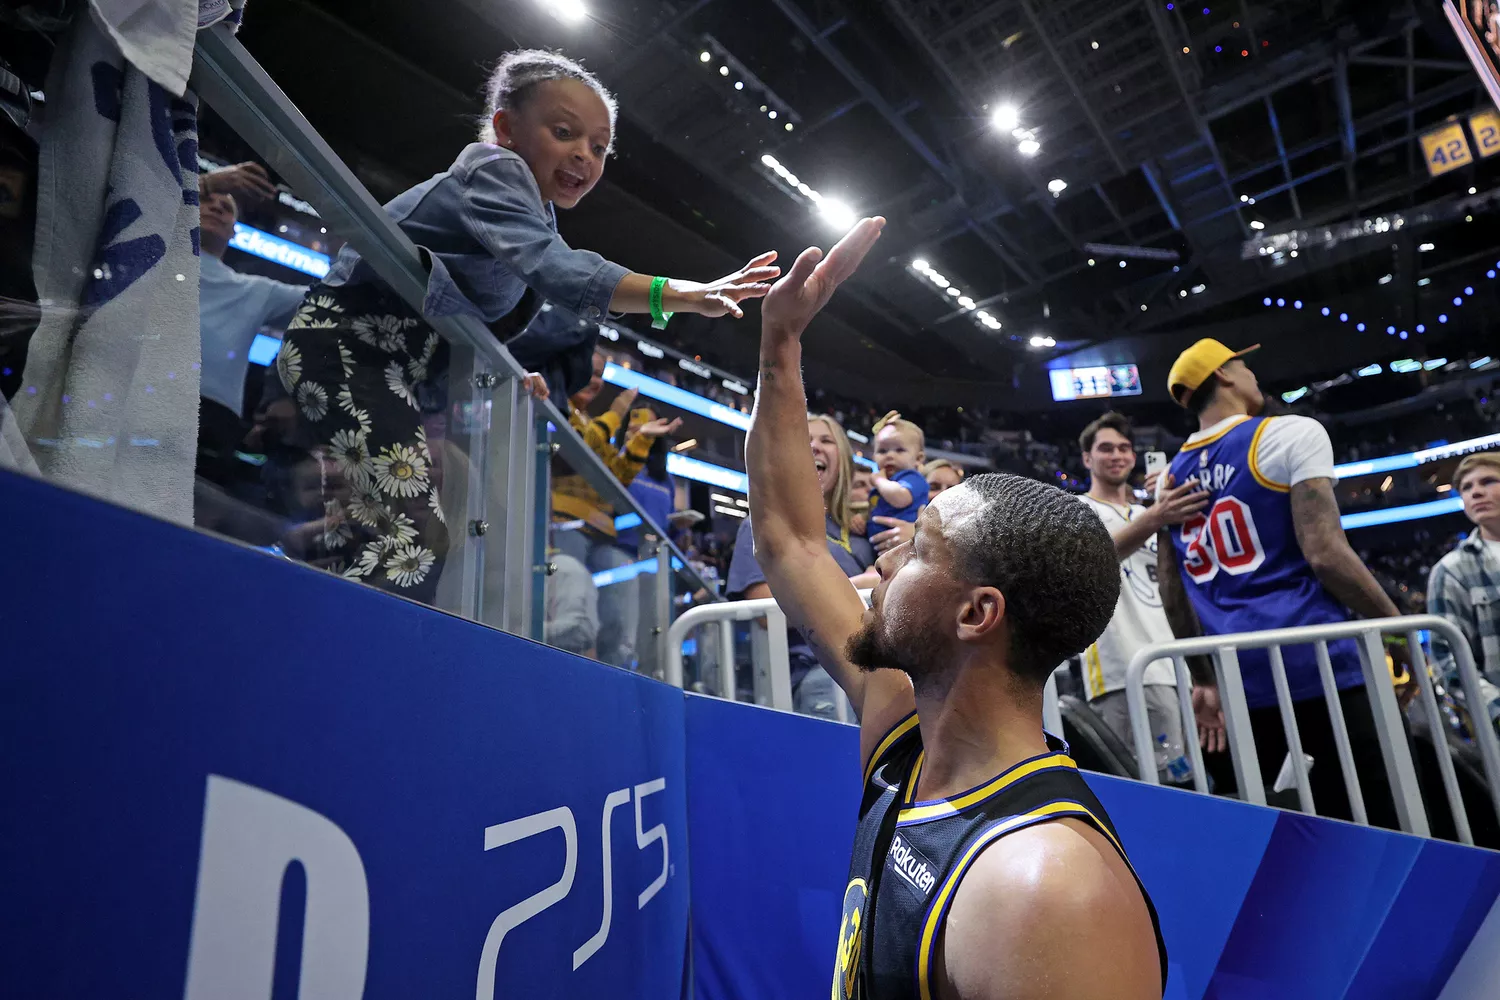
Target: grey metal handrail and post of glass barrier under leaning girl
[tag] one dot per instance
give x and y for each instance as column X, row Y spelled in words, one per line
column 500, row 572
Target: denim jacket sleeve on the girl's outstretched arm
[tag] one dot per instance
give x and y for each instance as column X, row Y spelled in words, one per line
column 502, row 209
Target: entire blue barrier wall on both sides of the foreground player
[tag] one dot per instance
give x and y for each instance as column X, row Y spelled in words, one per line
column 226, row 774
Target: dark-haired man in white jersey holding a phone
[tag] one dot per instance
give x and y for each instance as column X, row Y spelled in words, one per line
column 1109, row 454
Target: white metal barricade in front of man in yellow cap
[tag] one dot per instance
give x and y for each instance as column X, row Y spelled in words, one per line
column 1394, row 749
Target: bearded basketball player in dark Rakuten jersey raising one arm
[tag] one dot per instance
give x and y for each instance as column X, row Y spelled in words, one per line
column 983, row 867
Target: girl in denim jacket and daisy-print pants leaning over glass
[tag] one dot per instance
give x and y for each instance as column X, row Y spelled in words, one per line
column 368, row 374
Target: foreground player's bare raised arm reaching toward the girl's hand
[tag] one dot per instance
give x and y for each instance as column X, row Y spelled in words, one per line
column 787, row 507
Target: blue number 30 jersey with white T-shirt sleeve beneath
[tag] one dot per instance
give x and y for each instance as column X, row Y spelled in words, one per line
column 1241, row 561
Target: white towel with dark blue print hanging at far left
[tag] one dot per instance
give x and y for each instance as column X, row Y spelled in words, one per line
column 110, row 397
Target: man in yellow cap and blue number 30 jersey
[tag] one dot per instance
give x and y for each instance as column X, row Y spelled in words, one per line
column 1270, row 552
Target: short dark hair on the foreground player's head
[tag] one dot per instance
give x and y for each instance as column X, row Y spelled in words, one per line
column 1054, row 561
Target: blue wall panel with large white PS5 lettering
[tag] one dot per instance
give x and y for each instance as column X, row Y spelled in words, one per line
column 233, row 777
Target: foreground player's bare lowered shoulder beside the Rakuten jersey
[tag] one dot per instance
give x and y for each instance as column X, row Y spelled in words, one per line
column 1048, row 914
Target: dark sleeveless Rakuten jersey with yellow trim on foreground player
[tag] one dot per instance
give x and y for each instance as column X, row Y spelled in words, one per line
column 910, row 858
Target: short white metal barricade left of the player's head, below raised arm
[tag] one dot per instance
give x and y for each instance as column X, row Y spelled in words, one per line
column 773, row 684
